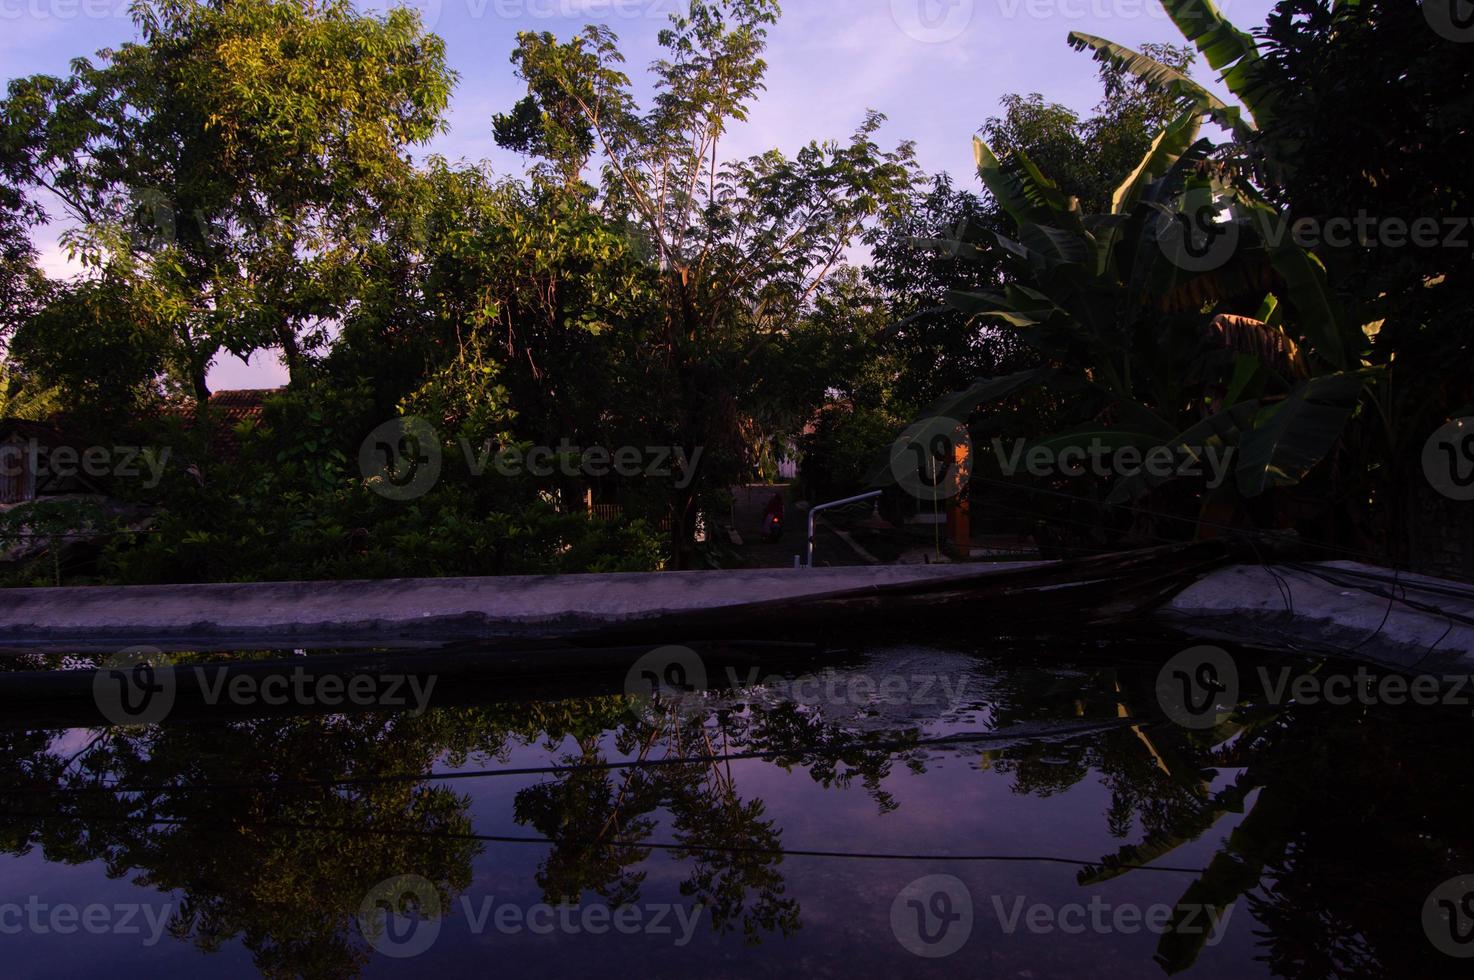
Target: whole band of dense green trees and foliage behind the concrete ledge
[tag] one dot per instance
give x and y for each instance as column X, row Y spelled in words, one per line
column 241, row 179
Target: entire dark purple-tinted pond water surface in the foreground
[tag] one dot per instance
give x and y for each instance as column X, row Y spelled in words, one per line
column 1028, row 813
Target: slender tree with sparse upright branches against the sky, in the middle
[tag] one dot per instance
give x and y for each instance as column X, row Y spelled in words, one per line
column 739, row 248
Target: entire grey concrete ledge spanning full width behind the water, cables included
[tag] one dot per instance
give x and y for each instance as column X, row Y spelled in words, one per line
column 1417, row 626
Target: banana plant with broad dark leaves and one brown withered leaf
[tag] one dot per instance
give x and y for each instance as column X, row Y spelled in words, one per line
column 1167, row 351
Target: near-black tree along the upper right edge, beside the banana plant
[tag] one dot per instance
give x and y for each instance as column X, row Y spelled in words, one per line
column 1373, row 123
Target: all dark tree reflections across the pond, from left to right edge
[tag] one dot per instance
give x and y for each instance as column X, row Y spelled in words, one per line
column 1351, row 816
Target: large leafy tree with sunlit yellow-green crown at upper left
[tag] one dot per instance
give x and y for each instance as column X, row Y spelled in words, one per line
column 231, row 167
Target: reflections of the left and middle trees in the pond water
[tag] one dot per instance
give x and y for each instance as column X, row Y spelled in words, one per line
column 270, row 855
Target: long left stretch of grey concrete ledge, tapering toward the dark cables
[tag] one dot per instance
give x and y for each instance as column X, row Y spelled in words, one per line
column 419, row 612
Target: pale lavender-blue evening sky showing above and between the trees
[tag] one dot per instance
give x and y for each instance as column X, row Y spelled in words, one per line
column 935, row 69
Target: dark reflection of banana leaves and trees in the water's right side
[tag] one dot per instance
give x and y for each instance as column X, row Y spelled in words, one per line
column 1351, row 817
